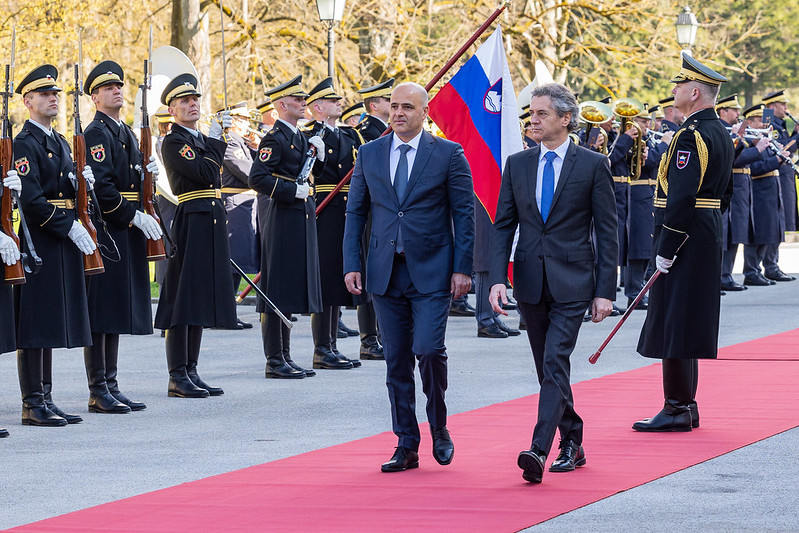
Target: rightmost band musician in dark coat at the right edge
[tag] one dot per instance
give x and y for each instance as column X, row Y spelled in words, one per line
column 778, row 101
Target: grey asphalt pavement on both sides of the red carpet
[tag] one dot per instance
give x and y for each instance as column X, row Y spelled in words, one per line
column 51, row 471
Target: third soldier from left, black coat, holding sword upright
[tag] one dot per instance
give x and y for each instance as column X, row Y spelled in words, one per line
column 193, row 163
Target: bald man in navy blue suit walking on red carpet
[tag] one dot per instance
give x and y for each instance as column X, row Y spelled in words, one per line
column 418, row 189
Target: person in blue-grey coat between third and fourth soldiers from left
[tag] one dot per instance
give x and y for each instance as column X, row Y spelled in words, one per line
column 238, row 198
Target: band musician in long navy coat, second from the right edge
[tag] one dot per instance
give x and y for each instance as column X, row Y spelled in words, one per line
column 769, row 226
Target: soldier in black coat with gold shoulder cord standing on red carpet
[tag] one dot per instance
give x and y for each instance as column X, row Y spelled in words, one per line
column 694, row 188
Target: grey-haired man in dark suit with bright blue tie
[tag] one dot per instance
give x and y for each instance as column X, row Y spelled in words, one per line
column 555, row 192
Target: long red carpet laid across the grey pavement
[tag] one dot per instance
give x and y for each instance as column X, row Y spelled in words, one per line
column 341, row 489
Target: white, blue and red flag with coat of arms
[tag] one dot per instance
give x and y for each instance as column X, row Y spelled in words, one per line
column 477, row 109
